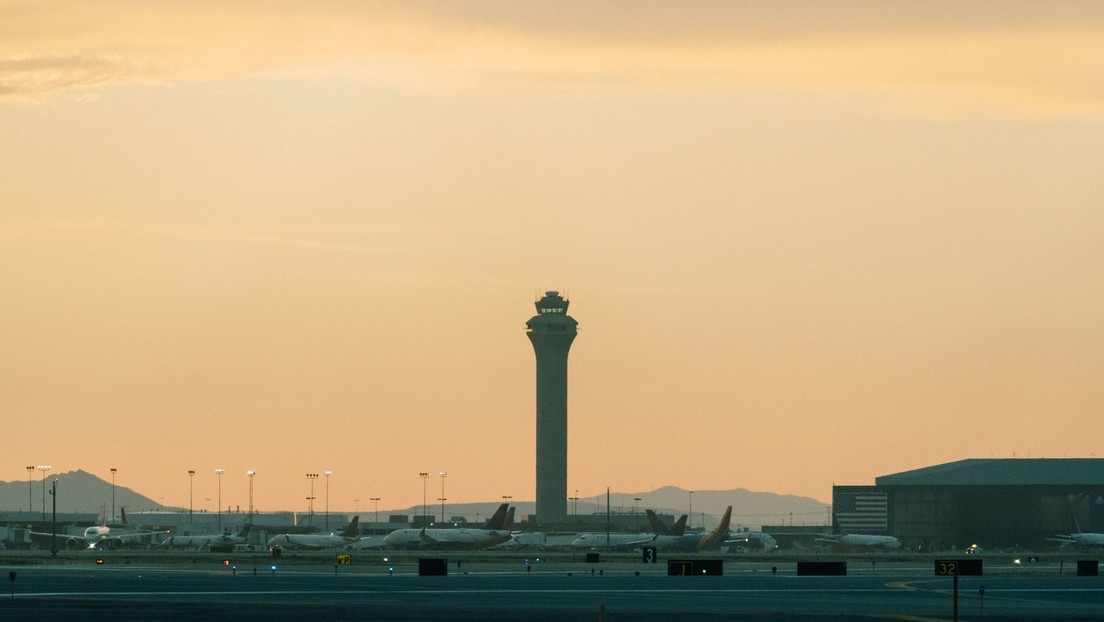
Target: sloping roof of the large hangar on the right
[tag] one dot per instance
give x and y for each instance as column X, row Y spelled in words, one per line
column 1007, row 472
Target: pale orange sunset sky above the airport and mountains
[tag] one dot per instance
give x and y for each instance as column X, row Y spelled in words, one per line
column 806, row 244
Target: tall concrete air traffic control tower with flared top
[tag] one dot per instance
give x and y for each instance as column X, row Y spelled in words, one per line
column 551, row 332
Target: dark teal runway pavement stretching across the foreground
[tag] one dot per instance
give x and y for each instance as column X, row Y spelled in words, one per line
column 547, row 592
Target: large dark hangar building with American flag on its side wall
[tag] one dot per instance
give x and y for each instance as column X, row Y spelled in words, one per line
column 1001, row 503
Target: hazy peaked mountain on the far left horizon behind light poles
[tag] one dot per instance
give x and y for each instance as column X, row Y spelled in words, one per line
column 78, row 492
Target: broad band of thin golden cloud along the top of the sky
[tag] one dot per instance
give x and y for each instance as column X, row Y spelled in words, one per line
column 1007, row 58
